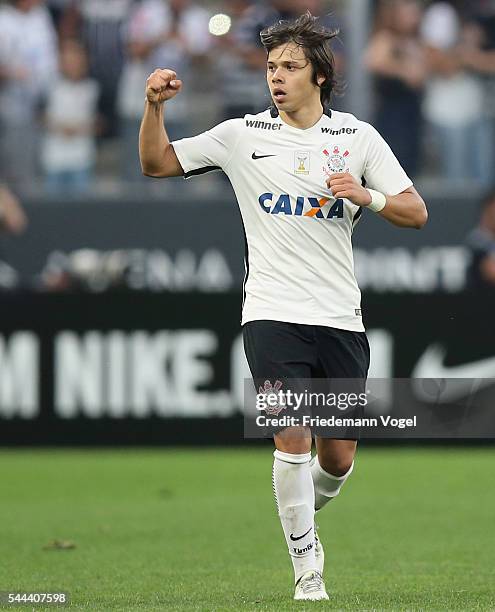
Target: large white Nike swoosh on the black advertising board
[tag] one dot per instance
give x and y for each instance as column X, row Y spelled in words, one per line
column 453, row 382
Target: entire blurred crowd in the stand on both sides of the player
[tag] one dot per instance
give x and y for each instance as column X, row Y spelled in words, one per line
column 72, row 75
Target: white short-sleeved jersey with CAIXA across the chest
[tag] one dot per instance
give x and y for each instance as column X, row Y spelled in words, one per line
column 299, row 262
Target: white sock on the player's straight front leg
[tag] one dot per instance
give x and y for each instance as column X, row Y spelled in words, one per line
column 294, row 494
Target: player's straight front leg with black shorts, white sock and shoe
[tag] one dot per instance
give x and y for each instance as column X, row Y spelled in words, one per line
column 284, row 352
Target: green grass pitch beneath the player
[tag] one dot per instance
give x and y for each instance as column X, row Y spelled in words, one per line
column 414, row 529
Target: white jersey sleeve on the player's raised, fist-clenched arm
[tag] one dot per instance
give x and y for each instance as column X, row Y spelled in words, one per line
column 212, row 150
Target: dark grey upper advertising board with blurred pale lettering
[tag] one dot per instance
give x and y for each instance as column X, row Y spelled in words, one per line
column 102, row 245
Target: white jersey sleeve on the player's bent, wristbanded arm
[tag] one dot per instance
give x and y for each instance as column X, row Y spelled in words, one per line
column 383, row 171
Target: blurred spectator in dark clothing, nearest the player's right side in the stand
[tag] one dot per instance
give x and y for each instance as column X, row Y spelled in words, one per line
column 397, row 58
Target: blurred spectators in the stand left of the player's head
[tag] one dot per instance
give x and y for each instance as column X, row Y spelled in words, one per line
column 72, row 77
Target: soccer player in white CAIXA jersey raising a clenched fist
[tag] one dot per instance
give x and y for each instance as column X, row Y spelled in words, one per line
column 298, row 171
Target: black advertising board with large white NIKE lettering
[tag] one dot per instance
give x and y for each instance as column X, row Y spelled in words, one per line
column 168, row 368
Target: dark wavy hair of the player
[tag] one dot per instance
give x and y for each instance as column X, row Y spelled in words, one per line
column 314, row 39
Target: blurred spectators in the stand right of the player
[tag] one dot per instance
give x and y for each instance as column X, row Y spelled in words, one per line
column 434, row 65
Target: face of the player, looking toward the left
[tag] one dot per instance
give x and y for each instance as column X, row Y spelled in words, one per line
column 289, row 76
